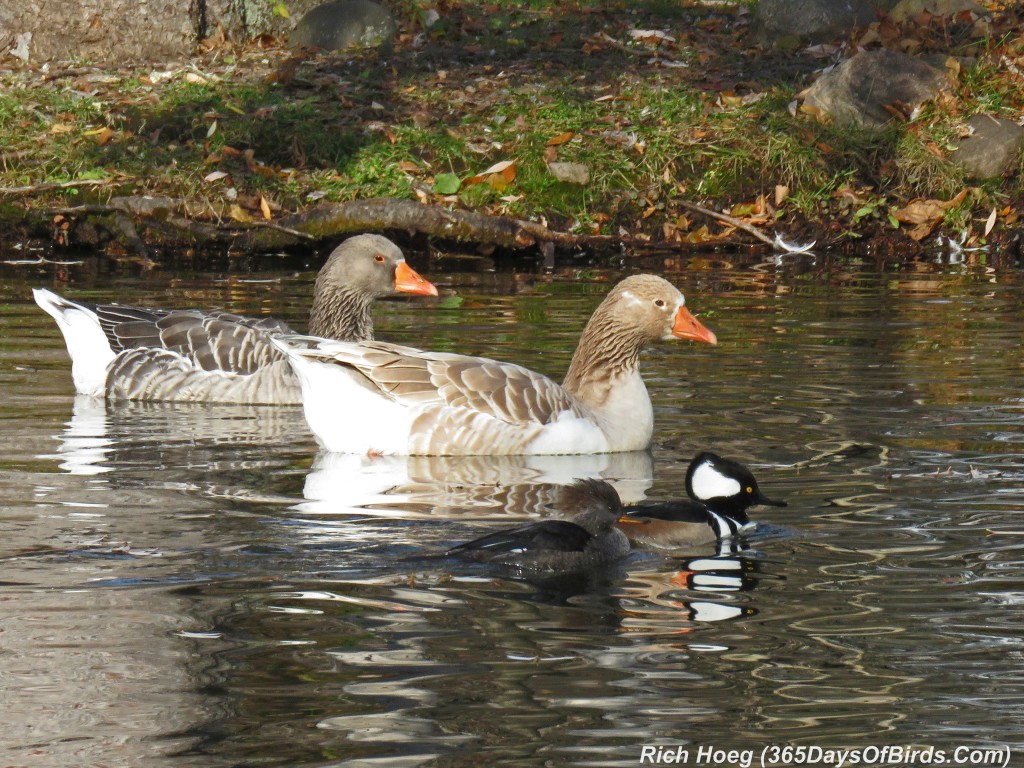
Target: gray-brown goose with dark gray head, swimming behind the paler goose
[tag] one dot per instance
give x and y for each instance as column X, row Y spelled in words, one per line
column 137, row 354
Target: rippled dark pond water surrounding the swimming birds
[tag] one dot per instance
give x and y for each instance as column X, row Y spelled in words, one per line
column 197, row 586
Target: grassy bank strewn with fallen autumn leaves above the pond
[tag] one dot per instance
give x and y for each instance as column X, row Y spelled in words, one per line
column 690, row 112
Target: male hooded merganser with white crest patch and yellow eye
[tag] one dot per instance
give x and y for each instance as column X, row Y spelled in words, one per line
column 721, row 491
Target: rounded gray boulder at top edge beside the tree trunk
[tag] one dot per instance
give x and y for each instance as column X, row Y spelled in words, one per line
column 345, row 24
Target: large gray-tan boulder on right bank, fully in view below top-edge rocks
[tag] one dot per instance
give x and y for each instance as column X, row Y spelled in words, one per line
column 858, row 92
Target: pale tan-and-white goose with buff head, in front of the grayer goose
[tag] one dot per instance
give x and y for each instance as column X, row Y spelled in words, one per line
column 383, row 399
